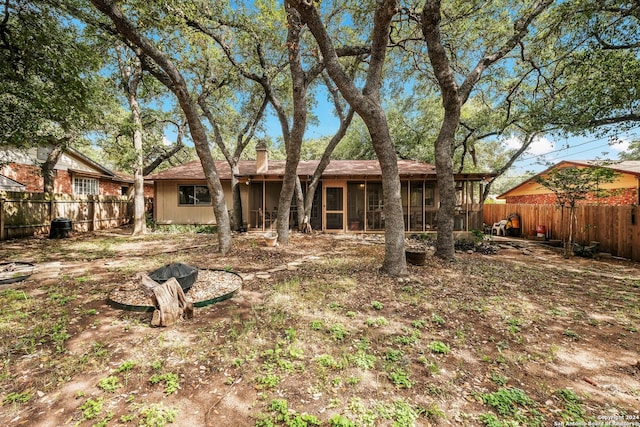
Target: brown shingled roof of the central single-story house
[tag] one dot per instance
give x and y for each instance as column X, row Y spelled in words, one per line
column 336, row 168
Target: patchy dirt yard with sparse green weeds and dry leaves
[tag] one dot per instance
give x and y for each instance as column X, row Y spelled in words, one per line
column 522, row 337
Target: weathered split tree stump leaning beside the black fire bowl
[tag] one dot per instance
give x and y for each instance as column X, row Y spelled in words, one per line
column 169, row 299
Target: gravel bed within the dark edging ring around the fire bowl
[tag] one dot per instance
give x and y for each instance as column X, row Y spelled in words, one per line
column 211, row 286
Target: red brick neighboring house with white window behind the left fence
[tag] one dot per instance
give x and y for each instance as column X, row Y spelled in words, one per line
column 76, row 174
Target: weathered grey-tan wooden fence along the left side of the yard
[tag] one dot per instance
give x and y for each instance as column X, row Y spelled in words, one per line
column 25, row 214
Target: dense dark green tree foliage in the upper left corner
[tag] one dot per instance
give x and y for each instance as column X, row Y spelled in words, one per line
column 49, row 87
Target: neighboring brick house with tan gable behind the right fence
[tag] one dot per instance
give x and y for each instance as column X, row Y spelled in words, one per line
column 624, row 190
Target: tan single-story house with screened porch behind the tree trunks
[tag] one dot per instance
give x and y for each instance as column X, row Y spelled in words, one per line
column 348, row 199
